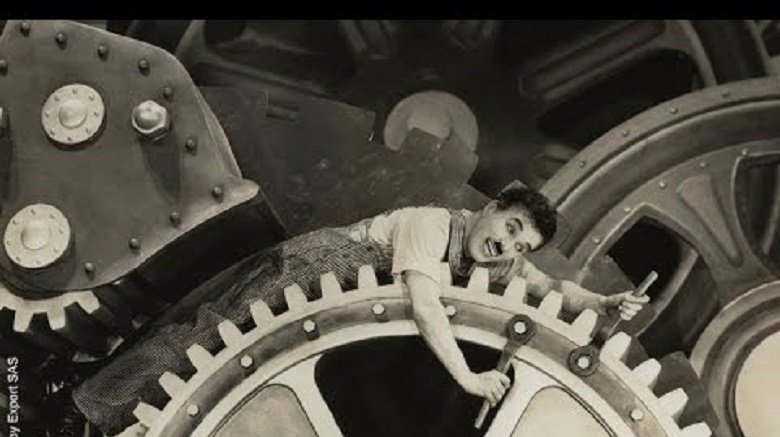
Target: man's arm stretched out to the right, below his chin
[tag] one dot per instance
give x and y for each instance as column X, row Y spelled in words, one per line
column 576, row 298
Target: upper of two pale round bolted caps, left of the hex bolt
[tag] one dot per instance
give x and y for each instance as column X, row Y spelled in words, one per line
column 73, row 114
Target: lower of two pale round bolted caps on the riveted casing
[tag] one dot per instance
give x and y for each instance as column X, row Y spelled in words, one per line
column 37, row 236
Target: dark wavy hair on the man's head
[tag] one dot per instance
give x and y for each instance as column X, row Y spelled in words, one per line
column 535, row 203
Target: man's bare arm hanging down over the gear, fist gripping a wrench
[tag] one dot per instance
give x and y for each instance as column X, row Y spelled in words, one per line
column 434, row 326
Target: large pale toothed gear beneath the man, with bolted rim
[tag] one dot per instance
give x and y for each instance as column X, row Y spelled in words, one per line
column 265, row 376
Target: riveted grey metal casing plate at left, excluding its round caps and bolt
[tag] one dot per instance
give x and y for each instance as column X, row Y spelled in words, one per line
column 126, row 187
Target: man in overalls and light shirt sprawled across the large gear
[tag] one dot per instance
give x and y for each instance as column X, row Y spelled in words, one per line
column 409, row 243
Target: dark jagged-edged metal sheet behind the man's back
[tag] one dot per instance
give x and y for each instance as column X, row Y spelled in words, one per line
column 317, row 165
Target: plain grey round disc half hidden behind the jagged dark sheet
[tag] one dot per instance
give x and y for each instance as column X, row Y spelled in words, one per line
column 436, row 112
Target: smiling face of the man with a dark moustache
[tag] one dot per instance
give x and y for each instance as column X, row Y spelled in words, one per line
column 502, row 235
